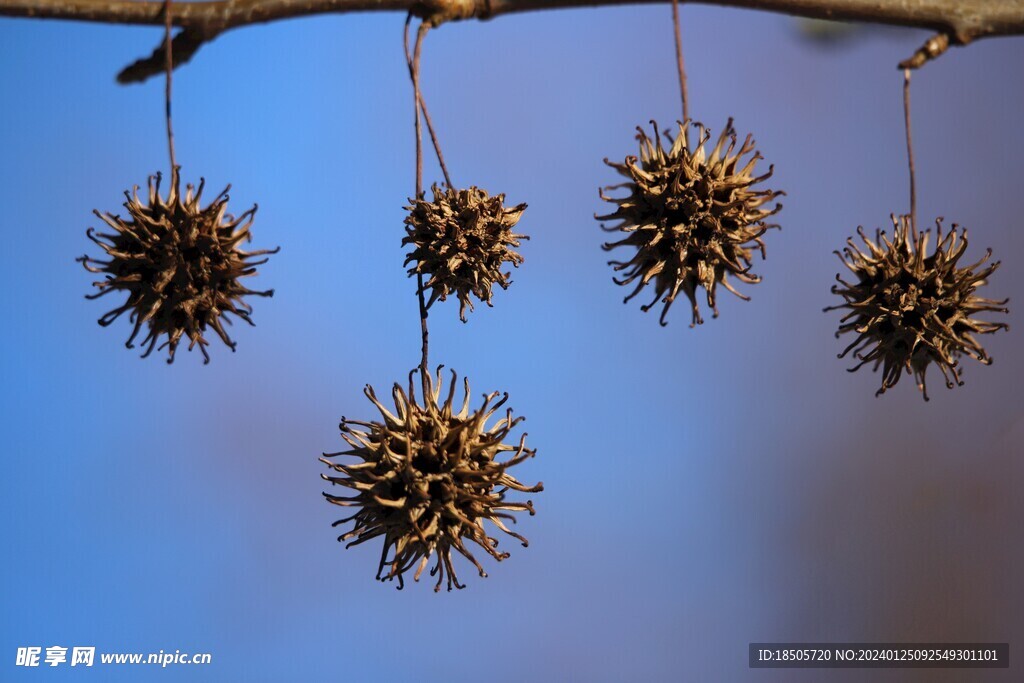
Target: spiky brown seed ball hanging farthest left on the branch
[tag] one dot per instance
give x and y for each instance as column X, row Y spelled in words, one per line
column 180, row 265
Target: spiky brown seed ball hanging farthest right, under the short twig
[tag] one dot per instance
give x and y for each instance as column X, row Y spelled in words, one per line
column 910, row 310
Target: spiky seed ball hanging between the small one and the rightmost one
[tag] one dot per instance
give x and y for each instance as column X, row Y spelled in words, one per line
column 693, row 218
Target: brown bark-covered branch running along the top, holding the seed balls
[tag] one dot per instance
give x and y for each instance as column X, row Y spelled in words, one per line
column 962, row 21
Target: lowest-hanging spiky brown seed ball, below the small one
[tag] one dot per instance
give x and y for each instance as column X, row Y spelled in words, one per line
column 428, row 479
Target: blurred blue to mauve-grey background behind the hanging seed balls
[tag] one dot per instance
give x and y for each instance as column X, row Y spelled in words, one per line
column 705, row 488
